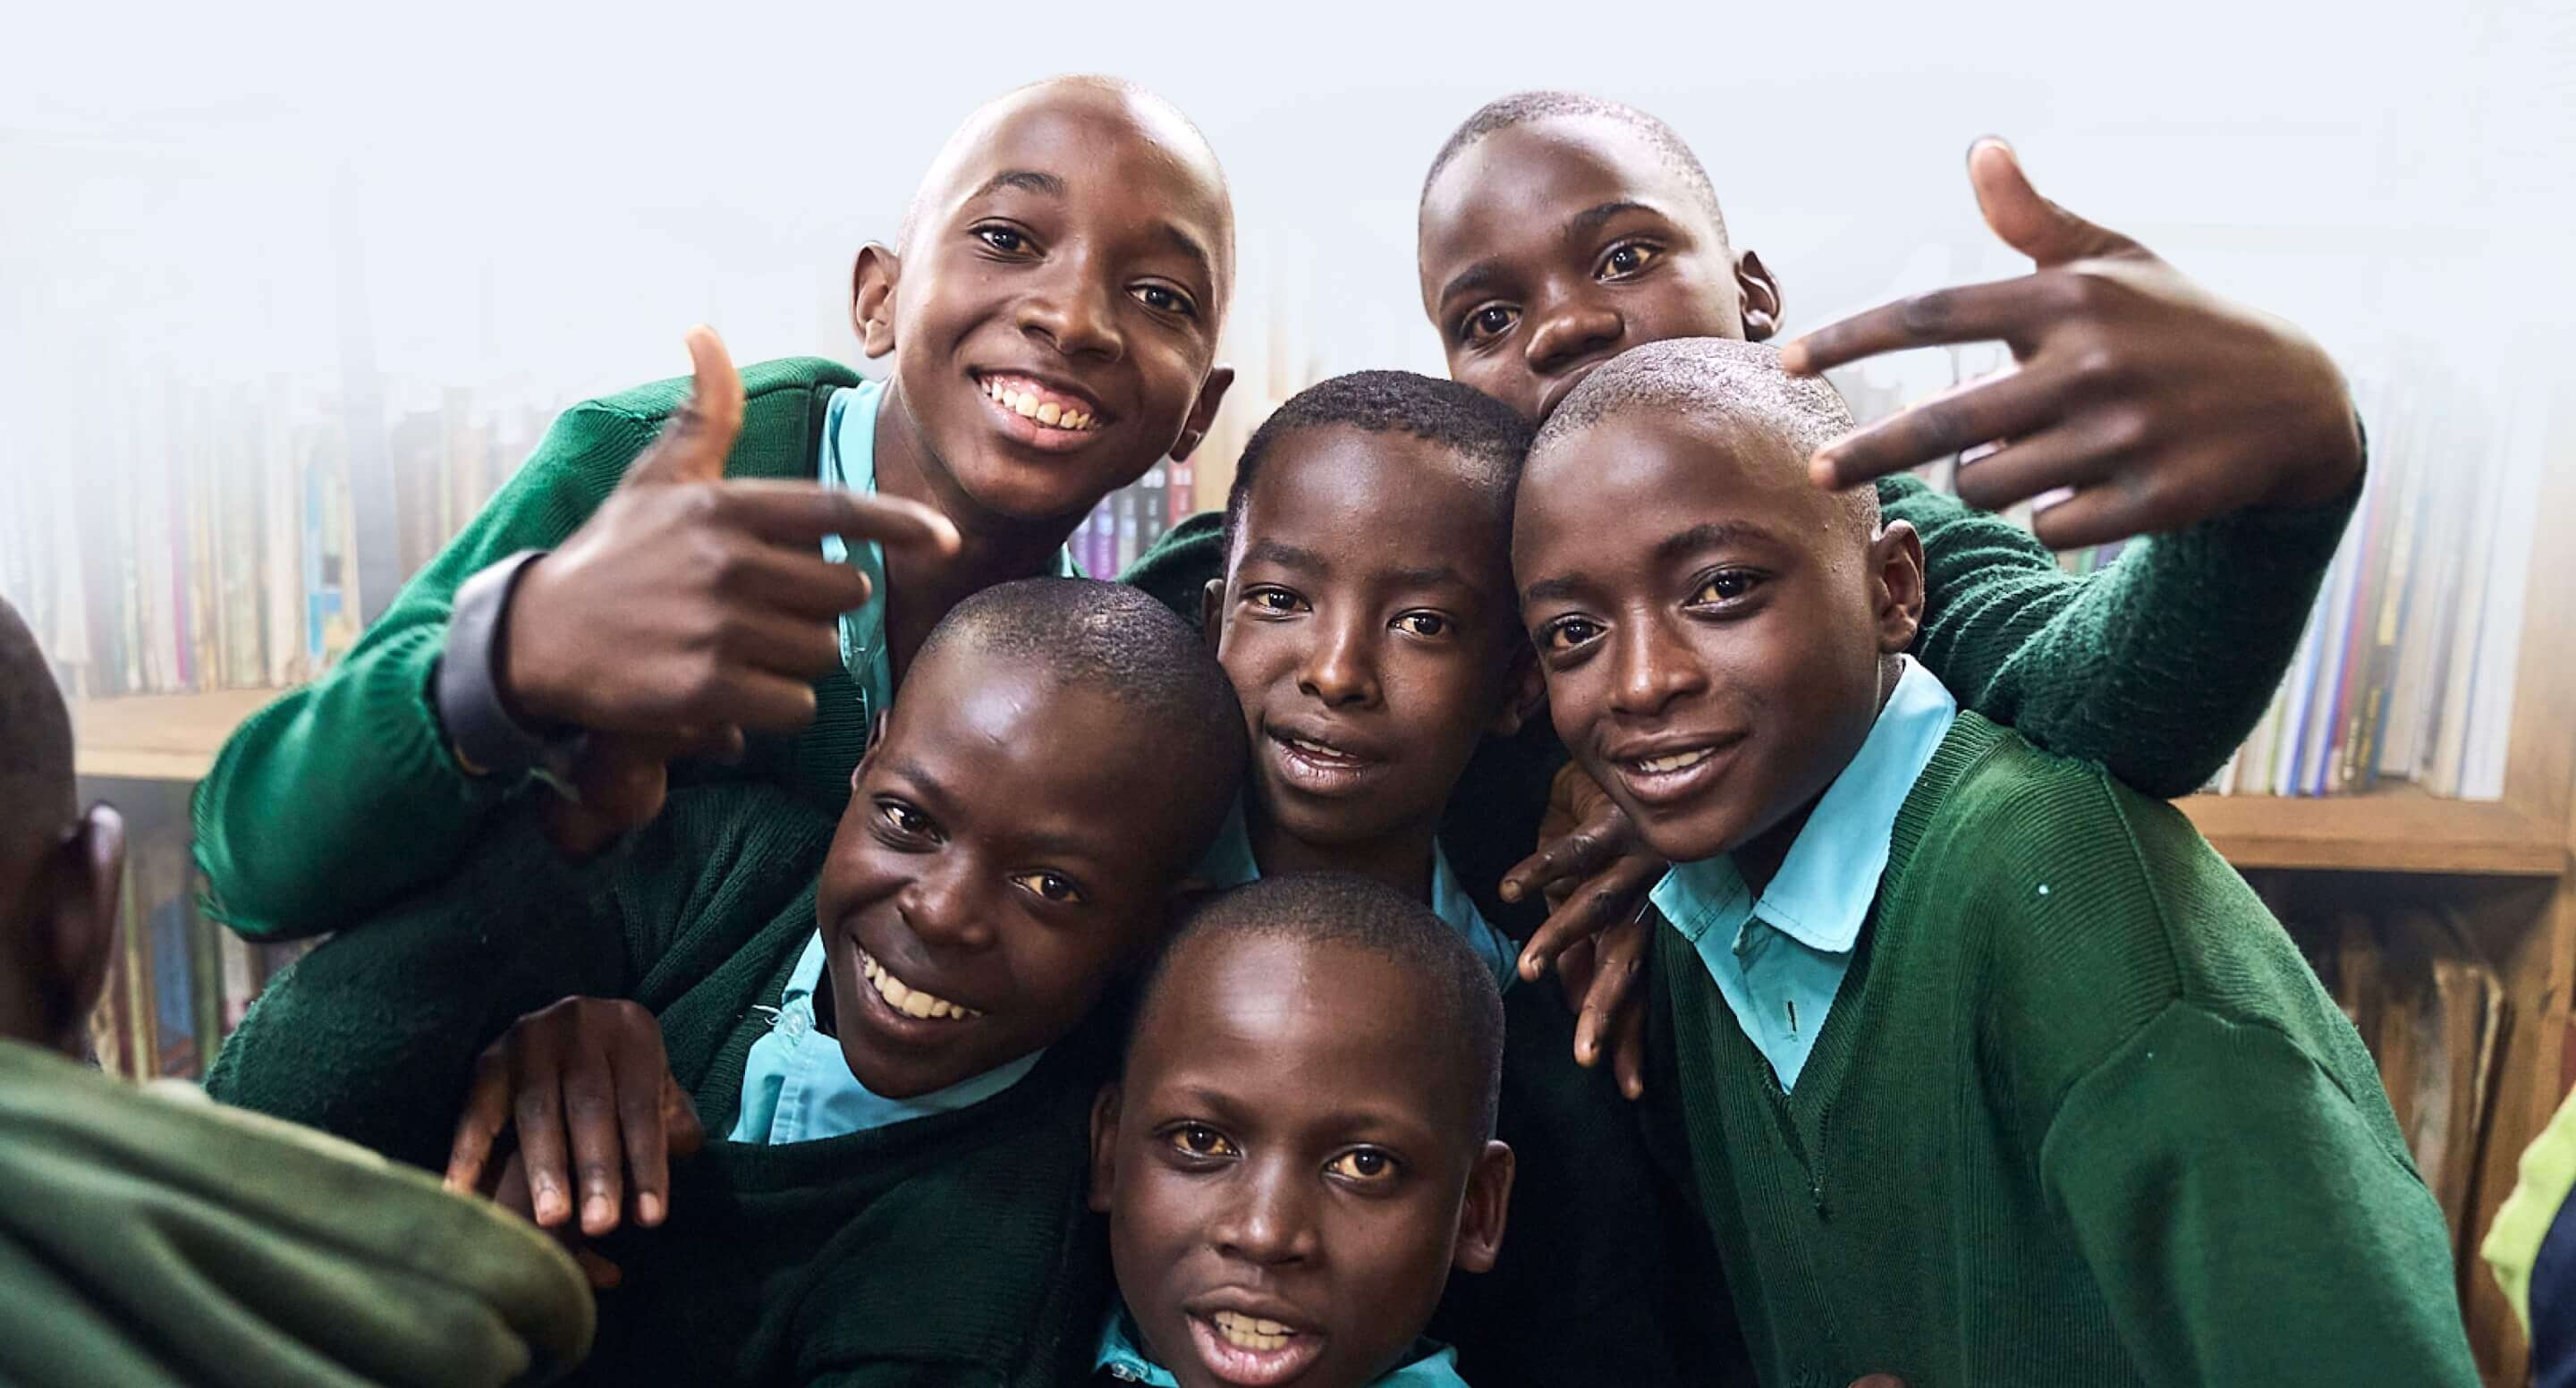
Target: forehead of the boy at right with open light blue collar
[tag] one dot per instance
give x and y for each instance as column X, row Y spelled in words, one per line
column 1645, row 473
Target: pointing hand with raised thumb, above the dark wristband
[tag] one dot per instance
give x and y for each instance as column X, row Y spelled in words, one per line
column 689, row 609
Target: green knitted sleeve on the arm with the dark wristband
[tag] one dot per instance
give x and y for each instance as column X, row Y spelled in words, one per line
column 344, row 797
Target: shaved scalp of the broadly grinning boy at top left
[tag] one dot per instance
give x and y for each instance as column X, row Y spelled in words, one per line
column 1109, row 109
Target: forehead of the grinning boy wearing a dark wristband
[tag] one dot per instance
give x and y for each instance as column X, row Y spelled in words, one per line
column 1117, row 153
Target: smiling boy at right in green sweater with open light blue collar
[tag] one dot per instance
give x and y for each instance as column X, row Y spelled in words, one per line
column 1987, row 1070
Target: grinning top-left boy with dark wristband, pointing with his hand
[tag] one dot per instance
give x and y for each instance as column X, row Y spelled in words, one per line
column 1052, row 315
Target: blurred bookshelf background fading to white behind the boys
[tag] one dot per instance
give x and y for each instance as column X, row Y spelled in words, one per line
column 287, row 290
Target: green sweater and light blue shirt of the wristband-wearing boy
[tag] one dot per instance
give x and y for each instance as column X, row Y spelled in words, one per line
column 349, row 794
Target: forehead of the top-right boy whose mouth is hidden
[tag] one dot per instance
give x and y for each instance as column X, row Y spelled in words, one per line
column 1539, row 174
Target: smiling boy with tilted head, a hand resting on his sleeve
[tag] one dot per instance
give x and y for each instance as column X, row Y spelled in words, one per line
column 900, row 1055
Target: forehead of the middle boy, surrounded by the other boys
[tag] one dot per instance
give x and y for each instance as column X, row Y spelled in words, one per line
column 1390, row 501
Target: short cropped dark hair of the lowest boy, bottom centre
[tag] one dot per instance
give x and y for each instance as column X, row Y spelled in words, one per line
column 1457, row 993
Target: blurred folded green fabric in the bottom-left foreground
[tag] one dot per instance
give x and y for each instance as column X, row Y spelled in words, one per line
column 151, row 1237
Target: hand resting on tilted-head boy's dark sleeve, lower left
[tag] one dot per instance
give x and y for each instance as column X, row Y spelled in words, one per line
column 591, row 1096
